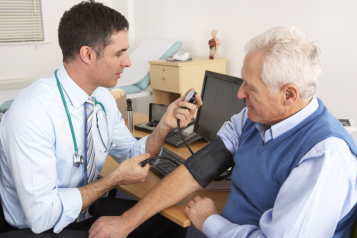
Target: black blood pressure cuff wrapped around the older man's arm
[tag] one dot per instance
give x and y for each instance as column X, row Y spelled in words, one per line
column 209, row 162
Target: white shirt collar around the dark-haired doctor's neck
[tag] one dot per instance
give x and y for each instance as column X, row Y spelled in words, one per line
column 75, row 94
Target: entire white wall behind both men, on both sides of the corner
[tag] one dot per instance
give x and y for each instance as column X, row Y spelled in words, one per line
column 331, row 23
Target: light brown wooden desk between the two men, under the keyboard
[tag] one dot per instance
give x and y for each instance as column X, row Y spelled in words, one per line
column 137, row 191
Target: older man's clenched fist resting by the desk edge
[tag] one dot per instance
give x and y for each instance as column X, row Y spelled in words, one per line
column 199, row 209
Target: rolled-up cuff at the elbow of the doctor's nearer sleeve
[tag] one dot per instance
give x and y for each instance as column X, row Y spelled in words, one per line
column 72, row 204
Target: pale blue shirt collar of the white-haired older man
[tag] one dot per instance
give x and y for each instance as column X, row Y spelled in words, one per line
column 269, row 133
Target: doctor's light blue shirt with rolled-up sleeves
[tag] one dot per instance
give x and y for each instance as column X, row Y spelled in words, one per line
column 38, row 181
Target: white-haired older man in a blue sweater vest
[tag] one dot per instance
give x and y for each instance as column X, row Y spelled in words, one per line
column 295, row 165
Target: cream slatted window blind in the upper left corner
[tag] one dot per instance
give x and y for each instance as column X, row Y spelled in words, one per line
column 20, row 21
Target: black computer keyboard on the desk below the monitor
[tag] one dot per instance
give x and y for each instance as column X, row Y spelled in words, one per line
column 165, row 167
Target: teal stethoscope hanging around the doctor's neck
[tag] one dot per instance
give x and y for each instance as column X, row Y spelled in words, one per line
column 78, row 159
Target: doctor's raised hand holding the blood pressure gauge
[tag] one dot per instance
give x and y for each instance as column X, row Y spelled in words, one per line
column 174, row 112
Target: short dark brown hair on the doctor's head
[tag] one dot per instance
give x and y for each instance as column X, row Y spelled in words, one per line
column 88, row 24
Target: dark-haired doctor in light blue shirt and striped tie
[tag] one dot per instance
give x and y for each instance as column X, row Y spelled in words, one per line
column 56, row 136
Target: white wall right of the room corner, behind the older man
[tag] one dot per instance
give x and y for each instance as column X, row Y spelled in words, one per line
column 332, row 24
